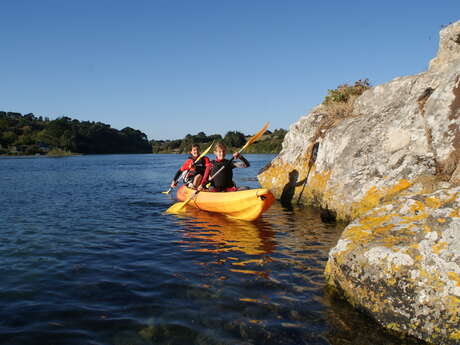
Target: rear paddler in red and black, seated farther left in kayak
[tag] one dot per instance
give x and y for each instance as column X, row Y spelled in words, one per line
column 192, row 172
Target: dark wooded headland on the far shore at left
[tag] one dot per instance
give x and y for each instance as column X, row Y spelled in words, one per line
column 29, row 135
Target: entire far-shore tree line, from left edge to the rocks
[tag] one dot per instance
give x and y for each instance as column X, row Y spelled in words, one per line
column 30, row 134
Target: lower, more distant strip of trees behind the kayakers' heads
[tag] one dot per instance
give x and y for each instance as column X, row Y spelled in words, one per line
column 269, row 143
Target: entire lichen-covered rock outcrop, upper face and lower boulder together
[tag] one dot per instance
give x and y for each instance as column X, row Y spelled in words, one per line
column 391, row 165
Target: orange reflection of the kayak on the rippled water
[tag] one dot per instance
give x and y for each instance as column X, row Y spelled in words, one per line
column 210, row 232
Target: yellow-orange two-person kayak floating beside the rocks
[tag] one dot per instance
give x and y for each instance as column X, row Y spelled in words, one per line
column 244, row 204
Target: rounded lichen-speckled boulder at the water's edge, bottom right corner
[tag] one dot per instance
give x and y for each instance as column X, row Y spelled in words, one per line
column 400, row 263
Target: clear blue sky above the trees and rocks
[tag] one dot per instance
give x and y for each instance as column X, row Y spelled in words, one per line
column 170, row 68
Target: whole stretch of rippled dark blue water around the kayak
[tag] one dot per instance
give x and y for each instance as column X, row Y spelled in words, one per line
column 88, row 257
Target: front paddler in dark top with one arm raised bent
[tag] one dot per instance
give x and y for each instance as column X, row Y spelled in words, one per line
column 223, row 181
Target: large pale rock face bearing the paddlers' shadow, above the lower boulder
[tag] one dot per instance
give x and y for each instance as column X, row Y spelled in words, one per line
column 397, row 134
